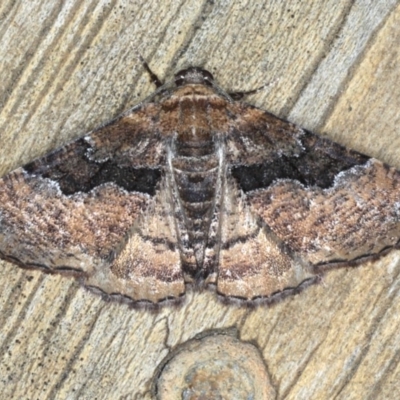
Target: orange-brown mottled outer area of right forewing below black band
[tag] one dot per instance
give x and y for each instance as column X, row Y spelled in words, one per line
column 358, row 216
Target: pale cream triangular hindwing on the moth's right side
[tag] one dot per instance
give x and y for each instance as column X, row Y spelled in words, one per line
column 252, row 261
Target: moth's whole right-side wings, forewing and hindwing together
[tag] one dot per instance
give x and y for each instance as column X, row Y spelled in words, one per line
column 298, row 203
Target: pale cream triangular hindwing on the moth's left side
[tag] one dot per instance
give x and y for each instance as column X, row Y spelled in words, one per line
column 148, row 267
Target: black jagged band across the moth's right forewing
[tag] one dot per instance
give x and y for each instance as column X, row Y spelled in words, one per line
column 317, row 165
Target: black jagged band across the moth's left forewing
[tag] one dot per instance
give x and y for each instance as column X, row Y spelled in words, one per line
column 77, row 173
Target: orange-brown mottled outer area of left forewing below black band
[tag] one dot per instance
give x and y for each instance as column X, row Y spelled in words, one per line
column 41, row 227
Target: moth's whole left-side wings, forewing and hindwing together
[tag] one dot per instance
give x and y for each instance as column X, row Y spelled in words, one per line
column 97, row 208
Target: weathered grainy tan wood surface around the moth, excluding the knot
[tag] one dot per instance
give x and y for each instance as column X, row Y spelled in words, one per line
column 68, row 67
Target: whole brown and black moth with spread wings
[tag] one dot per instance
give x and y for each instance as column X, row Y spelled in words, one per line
column 193, row 187
